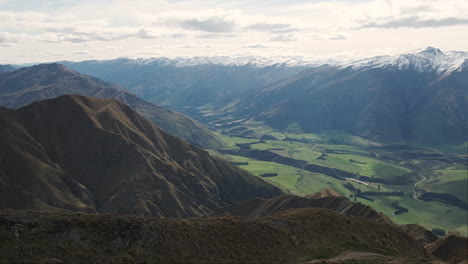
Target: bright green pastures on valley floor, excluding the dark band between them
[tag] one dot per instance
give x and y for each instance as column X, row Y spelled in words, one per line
column 365, row 163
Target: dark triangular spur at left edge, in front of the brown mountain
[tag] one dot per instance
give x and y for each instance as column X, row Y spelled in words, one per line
column 29, row 179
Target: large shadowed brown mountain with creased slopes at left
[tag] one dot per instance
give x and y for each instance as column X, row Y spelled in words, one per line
column 85, row 154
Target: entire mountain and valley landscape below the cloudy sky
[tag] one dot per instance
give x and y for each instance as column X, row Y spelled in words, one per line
column 211, row 160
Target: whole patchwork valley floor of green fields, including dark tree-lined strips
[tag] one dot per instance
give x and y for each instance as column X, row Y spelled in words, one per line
column 380, row 169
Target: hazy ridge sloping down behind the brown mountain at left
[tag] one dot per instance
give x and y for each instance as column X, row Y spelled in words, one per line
column 45, row 81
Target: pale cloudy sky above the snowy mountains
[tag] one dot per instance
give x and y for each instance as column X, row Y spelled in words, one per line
column 54, row 30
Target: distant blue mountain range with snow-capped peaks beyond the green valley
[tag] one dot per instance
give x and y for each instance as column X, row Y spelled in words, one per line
column 415, row 97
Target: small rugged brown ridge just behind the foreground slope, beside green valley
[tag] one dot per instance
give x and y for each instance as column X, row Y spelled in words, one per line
column 262, row 207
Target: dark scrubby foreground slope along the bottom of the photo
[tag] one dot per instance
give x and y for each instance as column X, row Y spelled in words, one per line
column 290, row 237
